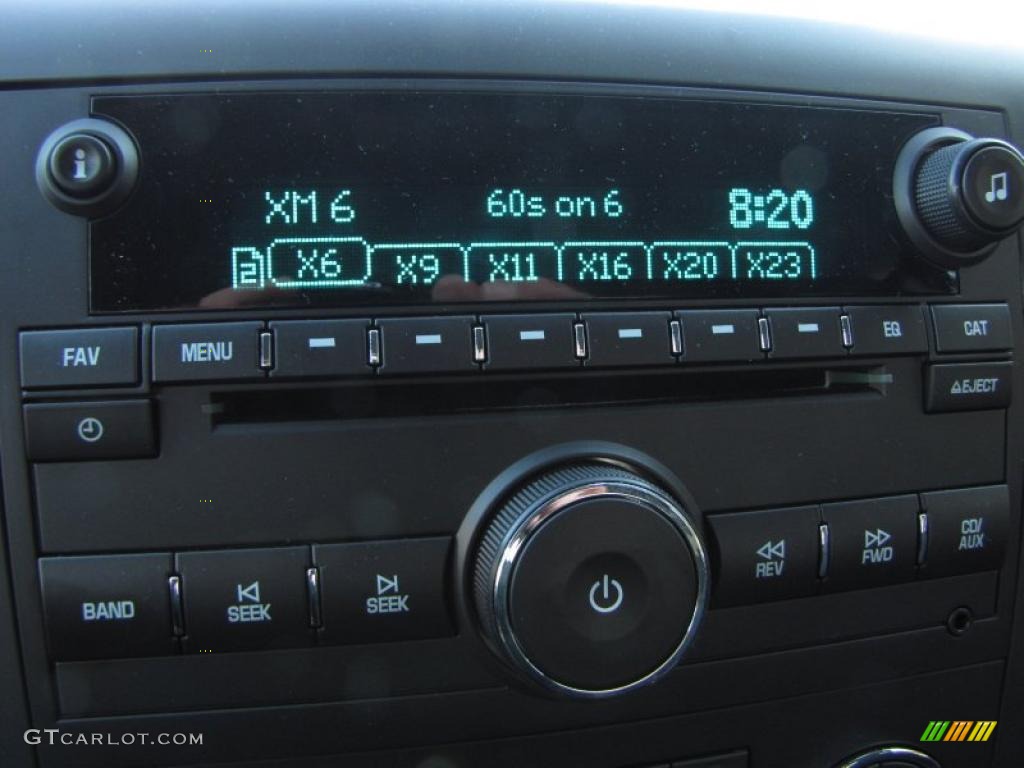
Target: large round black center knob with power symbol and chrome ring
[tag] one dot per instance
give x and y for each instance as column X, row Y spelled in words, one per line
column 591, row 581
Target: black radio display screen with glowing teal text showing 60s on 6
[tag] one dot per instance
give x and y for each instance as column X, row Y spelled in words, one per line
column 418, row 198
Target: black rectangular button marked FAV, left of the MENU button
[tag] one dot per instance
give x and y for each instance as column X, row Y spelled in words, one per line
column 79, row 358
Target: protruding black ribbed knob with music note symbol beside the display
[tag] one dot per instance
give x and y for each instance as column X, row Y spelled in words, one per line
column 958, row 196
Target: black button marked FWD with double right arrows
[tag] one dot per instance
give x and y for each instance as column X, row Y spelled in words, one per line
column 874, row 542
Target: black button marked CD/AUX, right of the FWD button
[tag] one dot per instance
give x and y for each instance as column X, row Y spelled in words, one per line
column 967, row 530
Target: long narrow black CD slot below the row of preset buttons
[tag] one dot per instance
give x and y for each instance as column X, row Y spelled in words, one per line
column 402, row 399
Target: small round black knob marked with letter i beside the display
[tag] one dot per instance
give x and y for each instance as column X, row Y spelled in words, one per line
column 88, row 167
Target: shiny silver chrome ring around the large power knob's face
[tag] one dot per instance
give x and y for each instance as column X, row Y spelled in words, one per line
column 535, row 519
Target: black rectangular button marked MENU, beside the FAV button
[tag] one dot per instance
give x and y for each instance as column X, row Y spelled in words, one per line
column 206, row 352
